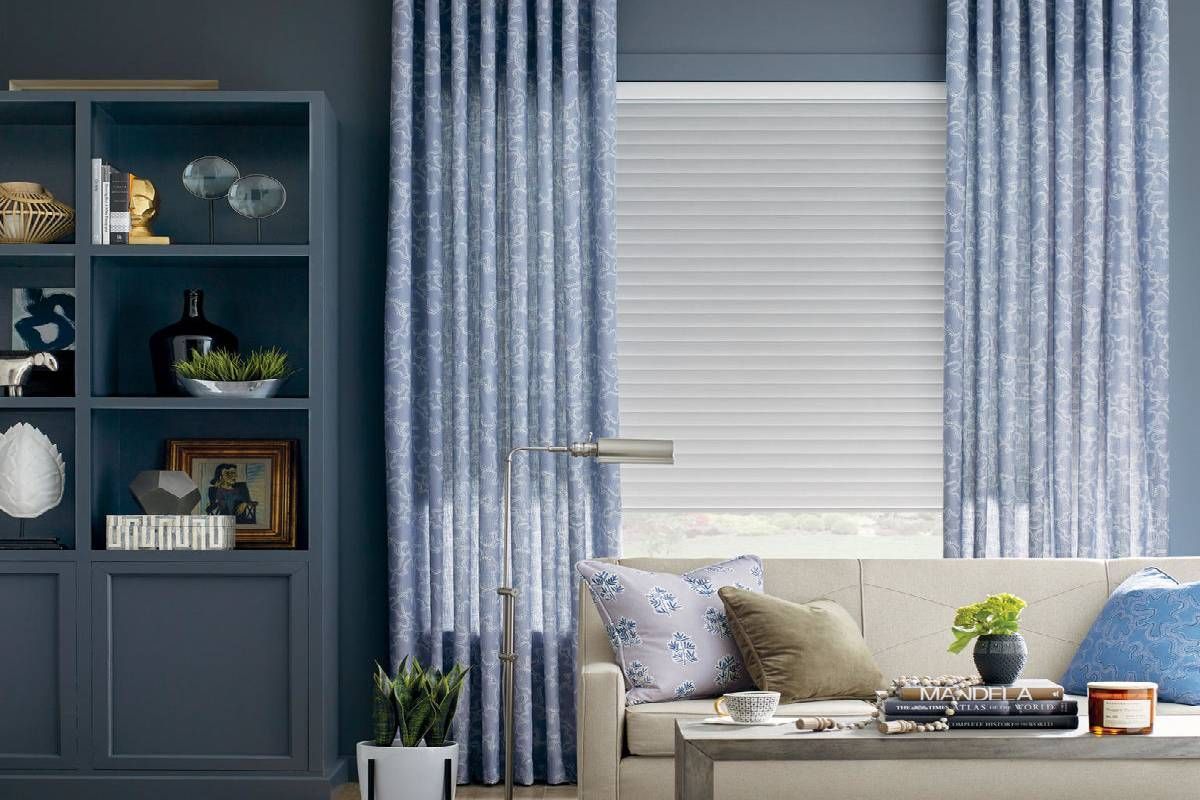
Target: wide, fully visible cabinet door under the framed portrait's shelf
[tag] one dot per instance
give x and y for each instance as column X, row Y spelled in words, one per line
column 201, row 666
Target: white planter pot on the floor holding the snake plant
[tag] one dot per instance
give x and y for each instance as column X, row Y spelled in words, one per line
column 407, row 773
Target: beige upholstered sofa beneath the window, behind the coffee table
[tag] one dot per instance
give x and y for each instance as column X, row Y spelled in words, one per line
column 904, row 609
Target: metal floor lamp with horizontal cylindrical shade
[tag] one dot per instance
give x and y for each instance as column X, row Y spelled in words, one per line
column 607, row 452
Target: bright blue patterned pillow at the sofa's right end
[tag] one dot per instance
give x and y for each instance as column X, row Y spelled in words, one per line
column 1149, row 630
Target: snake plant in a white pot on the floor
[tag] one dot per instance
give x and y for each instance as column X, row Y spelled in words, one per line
column 412, row 756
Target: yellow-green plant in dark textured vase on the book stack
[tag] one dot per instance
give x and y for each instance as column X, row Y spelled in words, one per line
column 1000, row 651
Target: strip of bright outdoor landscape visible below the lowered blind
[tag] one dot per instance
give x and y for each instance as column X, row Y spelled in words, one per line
column 783, row 534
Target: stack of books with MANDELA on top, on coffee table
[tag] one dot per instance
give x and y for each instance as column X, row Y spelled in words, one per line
column 1033, row 703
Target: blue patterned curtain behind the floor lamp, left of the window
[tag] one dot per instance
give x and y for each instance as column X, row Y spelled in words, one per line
column 500, row 330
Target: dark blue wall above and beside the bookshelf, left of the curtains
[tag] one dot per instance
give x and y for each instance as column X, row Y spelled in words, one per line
column 340, row 47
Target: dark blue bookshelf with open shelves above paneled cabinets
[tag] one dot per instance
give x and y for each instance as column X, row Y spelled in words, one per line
column 169, row 673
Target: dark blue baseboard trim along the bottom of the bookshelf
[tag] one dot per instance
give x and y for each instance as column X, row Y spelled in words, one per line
column 93, row 786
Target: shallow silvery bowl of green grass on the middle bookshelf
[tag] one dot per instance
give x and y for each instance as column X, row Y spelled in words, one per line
column 220, row 374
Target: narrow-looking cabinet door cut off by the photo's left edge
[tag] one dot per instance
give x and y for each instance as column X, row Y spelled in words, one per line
column 38, row 697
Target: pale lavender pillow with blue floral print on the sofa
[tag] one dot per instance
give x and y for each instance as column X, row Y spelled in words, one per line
column 669, row 631
